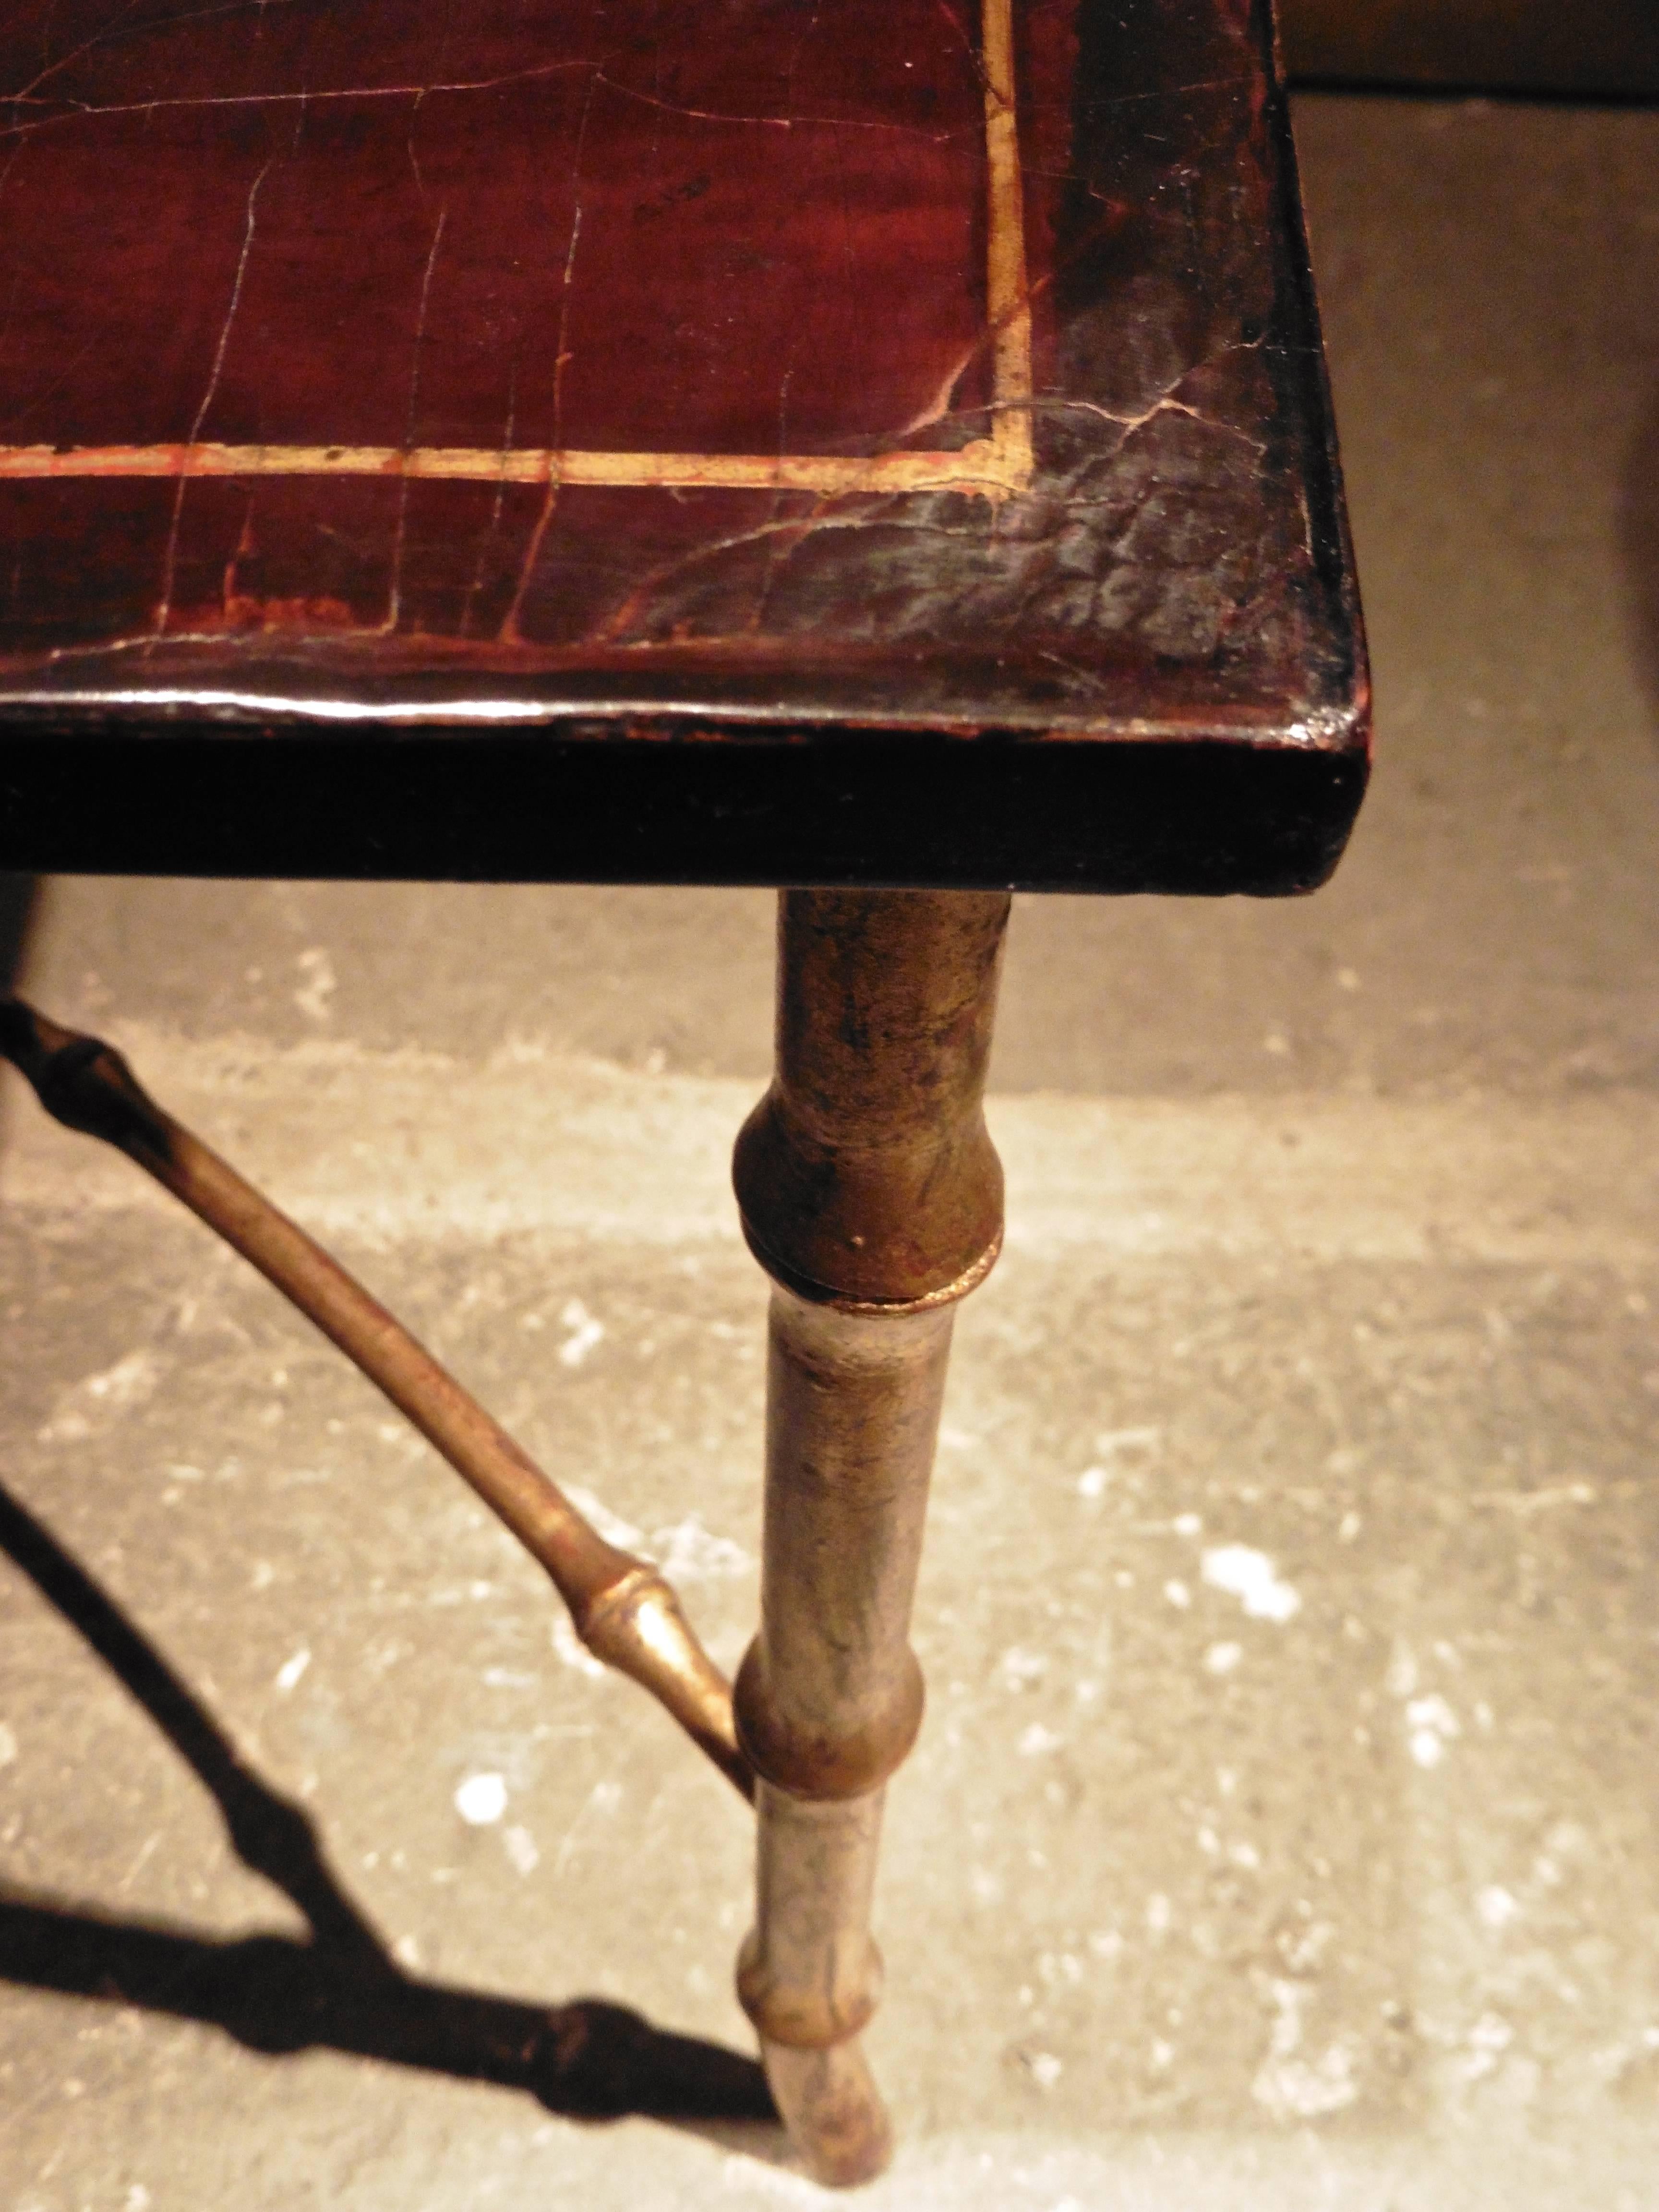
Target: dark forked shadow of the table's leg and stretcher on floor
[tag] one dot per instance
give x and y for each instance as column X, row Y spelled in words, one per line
column 342, row 1990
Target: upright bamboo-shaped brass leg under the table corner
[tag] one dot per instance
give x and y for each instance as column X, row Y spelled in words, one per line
column 873, row 1198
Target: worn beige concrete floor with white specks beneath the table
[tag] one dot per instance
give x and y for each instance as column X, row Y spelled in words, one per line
column 1335, row 1235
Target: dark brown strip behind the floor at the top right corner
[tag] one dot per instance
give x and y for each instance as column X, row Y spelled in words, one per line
column 1578, row 48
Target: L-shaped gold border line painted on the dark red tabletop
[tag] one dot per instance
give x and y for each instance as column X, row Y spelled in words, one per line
column 992, row 466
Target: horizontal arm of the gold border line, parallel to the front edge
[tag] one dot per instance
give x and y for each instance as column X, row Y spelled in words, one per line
column 979, row 466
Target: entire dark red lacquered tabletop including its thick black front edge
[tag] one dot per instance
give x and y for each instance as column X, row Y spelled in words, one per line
column 667, row 441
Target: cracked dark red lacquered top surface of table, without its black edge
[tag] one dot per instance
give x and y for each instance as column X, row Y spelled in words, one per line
column 614, row 331
